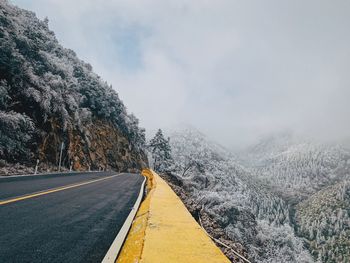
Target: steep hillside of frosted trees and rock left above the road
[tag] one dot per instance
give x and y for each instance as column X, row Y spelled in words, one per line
column 49, row 96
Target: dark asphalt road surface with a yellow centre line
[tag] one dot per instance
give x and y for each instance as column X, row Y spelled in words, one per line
column 73, row 225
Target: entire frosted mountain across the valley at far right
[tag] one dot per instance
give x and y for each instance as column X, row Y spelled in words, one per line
column 313, row 178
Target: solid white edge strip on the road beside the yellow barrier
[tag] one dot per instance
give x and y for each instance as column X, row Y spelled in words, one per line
column 117, row 244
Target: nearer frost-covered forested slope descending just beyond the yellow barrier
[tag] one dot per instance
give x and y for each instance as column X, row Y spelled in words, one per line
column 249, row 213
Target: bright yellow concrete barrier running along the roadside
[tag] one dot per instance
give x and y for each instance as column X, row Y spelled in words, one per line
column 164, row 231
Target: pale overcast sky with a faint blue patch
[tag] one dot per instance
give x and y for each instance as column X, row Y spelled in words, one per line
column 236, row 70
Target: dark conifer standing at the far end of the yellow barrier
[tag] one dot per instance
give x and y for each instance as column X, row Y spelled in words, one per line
column 161, row 152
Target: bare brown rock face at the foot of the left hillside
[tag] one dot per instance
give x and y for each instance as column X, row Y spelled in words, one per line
column 102, row 146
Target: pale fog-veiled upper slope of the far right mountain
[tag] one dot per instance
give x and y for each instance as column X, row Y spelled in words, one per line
column 298, row 168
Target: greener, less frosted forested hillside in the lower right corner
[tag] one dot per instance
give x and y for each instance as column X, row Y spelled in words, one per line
column 324, row 220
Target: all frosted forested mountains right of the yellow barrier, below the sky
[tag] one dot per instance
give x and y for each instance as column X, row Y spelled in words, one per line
column 285, row 199
